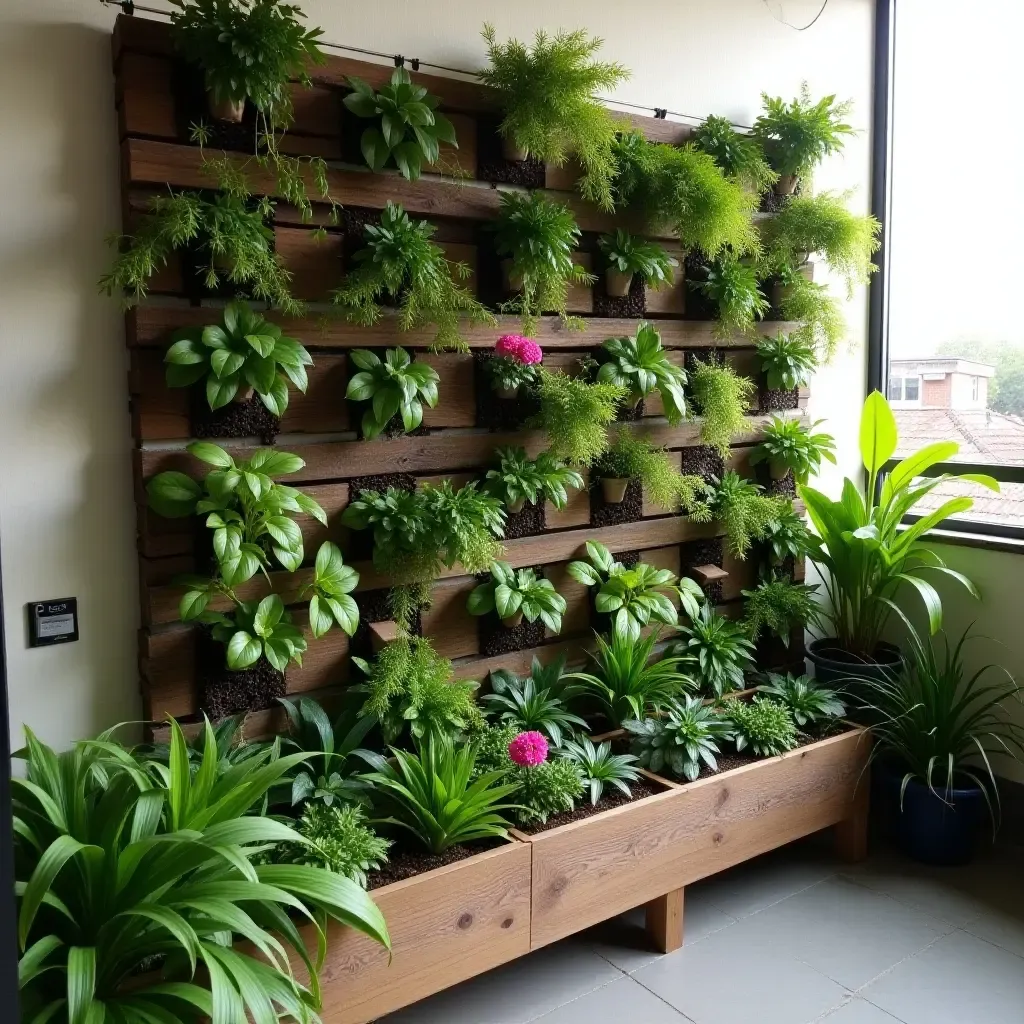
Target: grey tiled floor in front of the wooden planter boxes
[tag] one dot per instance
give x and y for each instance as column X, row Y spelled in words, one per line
column 792, row 938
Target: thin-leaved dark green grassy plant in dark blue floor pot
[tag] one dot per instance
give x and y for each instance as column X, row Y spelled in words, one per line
column 935, row 728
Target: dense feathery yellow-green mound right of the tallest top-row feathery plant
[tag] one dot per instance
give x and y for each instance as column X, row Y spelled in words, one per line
column 685, row 189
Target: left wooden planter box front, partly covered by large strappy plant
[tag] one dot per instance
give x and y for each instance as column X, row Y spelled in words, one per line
column 447, row 926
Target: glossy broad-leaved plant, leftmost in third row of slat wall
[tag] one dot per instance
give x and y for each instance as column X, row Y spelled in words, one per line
column 246, row 353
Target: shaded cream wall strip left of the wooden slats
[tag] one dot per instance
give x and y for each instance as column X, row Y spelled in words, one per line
column 67, row 516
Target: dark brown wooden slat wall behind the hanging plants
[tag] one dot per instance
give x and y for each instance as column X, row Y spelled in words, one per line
column 319, row 425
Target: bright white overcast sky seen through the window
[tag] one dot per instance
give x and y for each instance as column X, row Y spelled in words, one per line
column 958, row 218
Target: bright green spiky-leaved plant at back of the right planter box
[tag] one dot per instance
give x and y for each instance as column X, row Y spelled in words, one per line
column 625, row 684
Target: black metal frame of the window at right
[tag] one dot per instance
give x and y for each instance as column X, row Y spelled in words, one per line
column 878, row 336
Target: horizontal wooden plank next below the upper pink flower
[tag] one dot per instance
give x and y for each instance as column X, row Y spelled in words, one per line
column 435, row 453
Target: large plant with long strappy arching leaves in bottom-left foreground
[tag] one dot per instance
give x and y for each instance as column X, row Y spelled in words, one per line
column 124, row 864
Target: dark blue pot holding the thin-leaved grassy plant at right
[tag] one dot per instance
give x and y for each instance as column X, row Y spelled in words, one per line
column 933, row 830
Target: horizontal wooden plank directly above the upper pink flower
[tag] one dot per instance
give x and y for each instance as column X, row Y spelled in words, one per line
column 151, row 326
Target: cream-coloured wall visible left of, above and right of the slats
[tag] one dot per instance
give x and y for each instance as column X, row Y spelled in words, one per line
column 67, row 522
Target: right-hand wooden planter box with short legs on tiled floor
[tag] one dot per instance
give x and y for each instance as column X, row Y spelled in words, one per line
column 647, row 852
